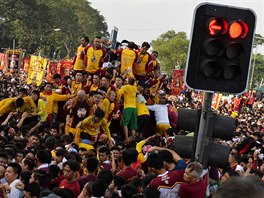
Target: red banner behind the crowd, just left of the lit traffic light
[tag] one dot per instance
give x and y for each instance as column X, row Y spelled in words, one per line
column 177, row 83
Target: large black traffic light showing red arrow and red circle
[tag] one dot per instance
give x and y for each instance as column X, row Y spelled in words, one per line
column 220, row 48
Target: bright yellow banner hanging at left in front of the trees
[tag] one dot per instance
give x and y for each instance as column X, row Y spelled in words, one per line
column 36, row 70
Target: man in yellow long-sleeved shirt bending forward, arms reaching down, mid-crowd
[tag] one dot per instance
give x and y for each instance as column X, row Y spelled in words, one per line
column 89, row 128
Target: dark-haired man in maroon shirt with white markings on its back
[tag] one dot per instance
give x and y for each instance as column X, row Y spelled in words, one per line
column 167, row 182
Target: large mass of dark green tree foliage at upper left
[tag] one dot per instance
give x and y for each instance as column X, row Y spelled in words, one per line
column 32, row 22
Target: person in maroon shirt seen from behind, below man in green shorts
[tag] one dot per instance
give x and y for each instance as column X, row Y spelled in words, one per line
column 127, row 171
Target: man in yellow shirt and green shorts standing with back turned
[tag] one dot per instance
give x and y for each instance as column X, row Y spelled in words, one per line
column 129, row 116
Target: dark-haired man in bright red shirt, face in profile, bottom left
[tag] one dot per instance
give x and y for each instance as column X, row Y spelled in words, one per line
column 70, row 169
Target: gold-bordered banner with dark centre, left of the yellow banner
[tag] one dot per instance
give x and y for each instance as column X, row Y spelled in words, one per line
column 13, row 60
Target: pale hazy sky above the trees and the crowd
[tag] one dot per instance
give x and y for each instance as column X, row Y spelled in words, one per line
column 146, row 20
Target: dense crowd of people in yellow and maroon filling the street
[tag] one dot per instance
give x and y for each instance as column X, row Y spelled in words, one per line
column 107, row 130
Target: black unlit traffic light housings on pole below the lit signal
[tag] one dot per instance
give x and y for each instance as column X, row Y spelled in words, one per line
column 217, row 126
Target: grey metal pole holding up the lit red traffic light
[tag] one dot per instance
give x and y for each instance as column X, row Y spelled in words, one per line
column 208, row 97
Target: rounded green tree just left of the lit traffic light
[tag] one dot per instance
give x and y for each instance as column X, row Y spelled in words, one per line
column 172, row 48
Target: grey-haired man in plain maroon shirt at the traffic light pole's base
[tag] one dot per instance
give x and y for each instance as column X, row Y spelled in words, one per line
column 193, row 186
